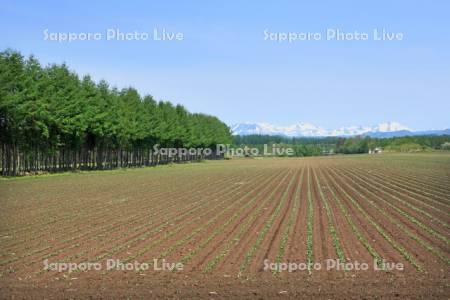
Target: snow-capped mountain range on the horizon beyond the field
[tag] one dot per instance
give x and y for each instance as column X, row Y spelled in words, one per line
column 382, row 130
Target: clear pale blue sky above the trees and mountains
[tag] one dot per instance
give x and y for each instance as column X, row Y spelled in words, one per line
column 232, row 62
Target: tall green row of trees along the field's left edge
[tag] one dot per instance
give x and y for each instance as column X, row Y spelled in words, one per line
column 53, row 120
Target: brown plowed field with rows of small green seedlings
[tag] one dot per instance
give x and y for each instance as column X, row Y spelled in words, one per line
column 247, row 228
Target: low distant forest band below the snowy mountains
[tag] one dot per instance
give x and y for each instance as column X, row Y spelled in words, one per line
column 305, row 146
